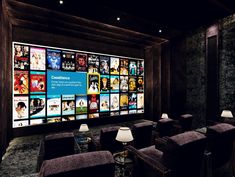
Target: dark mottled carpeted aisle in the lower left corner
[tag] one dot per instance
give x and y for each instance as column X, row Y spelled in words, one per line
column 21, row 157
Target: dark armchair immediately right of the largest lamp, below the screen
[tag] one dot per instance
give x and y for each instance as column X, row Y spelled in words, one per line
column 142, row 133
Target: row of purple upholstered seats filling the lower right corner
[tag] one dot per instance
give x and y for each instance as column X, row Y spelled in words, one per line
column 185, row 154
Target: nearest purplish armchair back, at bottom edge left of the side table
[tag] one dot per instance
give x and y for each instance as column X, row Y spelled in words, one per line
column 98, row 164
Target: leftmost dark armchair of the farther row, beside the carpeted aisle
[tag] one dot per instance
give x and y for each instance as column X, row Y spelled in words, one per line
column 55, row 145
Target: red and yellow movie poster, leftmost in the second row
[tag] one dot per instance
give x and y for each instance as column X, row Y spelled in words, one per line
column 21, row 82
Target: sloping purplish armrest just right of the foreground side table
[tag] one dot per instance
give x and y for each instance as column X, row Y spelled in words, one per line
column 148, row 165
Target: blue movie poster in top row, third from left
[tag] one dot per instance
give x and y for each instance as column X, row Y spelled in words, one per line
column 53, row 59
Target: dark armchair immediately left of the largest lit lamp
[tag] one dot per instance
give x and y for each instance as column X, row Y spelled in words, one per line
column 106, row 140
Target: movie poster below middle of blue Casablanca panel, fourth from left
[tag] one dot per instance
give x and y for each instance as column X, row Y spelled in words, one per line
column 68, row 104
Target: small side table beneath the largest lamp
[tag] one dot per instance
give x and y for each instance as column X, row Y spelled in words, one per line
column 123, row 164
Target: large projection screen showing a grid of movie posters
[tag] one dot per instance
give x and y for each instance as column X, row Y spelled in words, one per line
column 53, row 84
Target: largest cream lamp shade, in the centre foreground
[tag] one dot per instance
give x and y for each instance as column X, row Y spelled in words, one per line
column 124, row 135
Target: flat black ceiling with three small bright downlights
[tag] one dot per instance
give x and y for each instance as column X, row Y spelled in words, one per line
column 146, row 16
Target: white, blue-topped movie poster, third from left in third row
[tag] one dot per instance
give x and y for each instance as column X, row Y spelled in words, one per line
column 53, row 105
